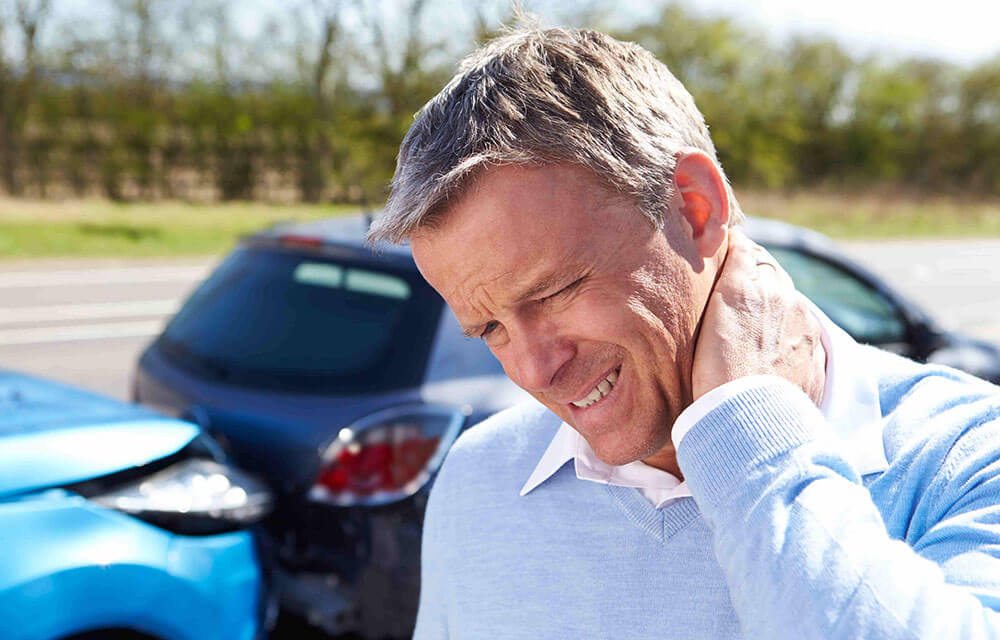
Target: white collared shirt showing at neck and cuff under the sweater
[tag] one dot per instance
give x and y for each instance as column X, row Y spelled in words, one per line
column 850, row 403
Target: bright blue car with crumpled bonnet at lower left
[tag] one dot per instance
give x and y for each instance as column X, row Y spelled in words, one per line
column 116, row 522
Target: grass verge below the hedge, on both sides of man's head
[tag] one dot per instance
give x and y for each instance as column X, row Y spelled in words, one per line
column 30, row 229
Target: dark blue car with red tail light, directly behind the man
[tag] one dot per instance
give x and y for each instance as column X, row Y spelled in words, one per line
column 339, row 375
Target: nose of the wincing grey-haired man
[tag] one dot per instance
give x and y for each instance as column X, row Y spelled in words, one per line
column 537, row 354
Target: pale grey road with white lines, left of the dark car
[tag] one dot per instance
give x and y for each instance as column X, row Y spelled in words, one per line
column 86, row 322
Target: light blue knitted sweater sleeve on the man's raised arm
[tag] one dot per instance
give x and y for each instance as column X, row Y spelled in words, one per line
column 804, row 548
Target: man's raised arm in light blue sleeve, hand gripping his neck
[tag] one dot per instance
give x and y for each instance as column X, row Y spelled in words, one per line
column 804, row 547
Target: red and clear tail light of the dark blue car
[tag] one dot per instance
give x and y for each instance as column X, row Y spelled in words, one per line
column 386, row 456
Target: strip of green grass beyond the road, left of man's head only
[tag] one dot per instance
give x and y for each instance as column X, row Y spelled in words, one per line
column 30, row 229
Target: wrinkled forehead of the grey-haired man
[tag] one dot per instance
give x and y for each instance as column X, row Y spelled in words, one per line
column 517, row 225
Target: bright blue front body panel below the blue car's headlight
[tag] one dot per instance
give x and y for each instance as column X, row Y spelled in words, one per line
column 71, row 566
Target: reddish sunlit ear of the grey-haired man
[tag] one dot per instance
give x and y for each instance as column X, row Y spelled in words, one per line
column 704, row 203
